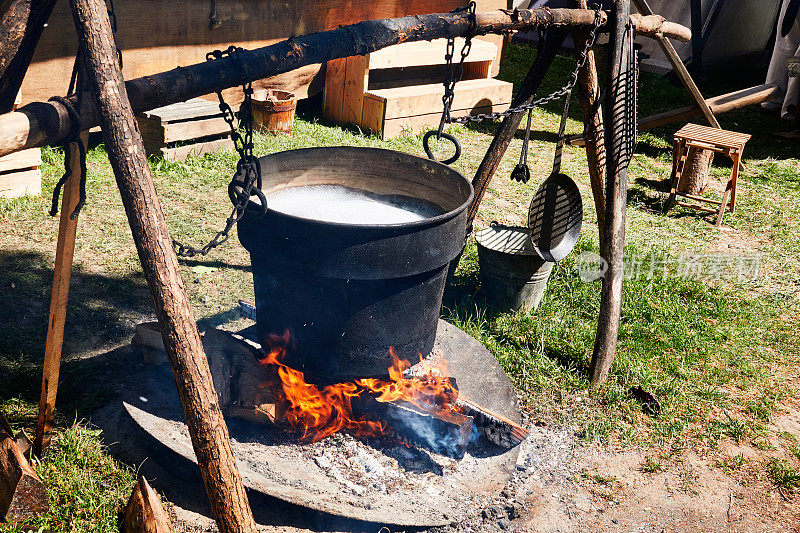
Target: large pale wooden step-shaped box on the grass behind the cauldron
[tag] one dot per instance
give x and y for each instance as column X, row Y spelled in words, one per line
column 400, row 88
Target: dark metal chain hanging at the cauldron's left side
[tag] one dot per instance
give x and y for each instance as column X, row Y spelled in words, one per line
column 247, row 181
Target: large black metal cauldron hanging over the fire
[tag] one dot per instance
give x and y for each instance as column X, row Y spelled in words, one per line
column 349, row 292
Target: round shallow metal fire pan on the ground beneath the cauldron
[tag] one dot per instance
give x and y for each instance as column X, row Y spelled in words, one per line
column 446, row 498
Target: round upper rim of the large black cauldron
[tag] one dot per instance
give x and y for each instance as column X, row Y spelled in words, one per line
column 423, row 222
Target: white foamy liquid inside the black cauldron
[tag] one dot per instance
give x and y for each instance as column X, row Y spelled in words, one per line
column 336, row 203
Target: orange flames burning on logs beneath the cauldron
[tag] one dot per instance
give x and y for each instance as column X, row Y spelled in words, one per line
column 319, row 413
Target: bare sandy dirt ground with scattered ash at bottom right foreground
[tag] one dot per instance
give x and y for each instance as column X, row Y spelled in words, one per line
column 563, row 486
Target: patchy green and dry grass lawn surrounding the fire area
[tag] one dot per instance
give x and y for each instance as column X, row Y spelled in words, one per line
column 720, row 355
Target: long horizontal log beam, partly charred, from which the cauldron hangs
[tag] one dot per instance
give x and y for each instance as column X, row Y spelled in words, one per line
column 39, row 124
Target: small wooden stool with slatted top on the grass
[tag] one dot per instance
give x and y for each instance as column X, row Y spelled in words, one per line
column 729, row 143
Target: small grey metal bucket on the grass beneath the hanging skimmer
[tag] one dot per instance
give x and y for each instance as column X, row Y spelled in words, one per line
column 513, row 275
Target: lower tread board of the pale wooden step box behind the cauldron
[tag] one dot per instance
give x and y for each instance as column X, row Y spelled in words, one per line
column 423, row 99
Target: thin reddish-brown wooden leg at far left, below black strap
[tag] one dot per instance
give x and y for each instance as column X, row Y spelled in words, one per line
column 65, row 249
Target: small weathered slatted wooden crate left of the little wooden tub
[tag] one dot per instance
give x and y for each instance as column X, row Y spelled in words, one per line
column 176, row 131
